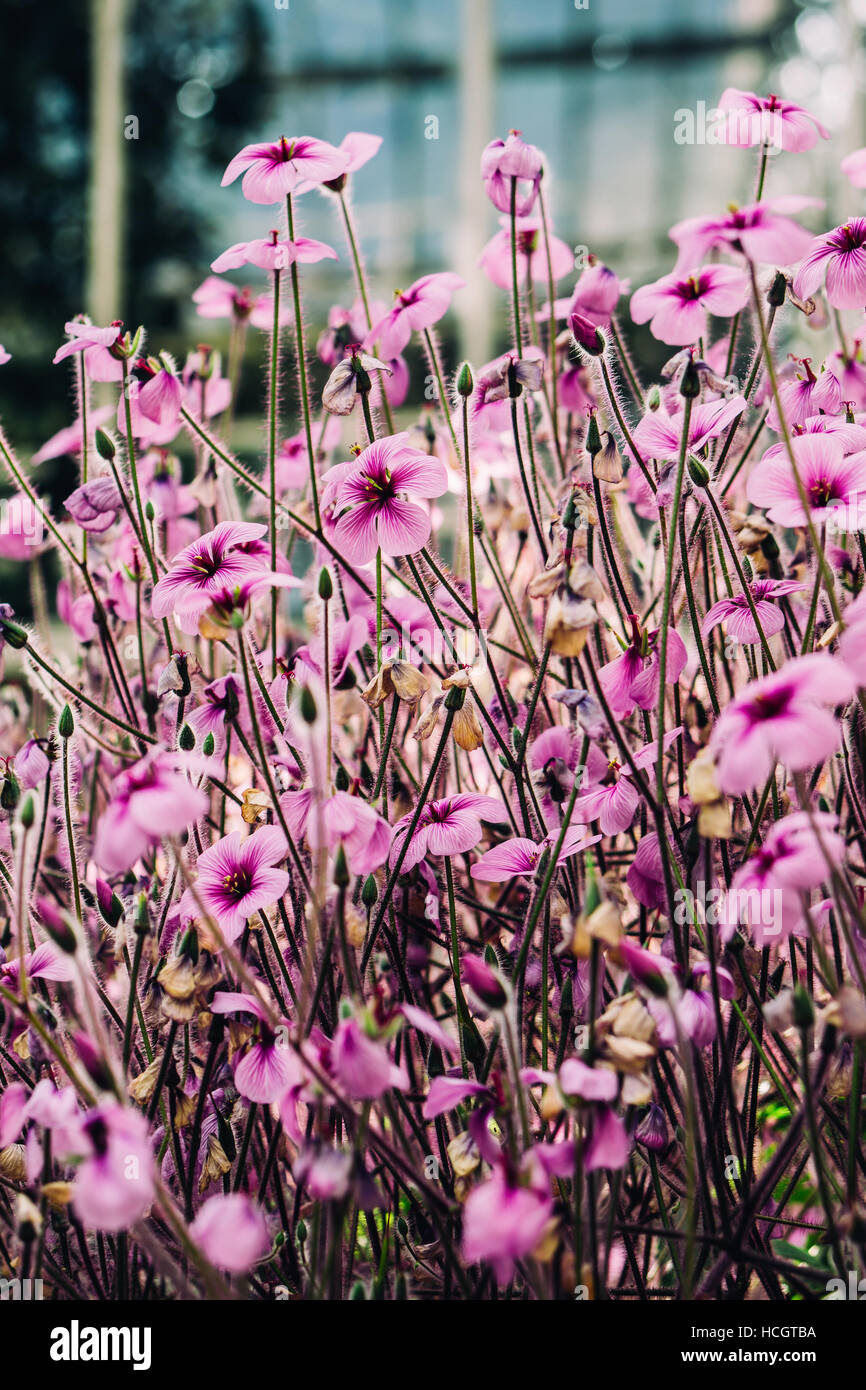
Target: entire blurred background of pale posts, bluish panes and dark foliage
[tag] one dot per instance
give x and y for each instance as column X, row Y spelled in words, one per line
column 117, row 119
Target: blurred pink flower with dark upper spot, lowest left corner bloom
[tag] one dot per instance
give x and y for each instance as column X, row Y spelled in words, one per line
column 115, row 1185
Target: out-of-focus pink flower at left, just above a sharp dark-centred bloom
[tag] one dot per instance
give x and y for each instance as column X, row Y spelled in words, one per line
column 149, row 801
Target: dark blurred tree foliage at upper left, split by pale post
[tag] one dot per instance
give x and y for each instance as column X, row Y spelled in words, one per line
column 45, row 115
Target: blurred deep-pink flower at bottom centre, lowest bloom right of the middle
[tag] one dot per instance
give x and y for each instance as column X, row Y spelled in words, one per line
column 504, row 1223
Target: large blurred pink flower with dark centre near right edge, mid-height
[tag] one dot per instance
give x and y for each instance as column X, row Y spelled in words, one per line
column 786, row 718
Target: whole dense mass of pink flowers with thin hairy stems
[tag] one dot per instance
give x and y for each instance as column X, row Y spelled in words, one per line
column 433, row 853
